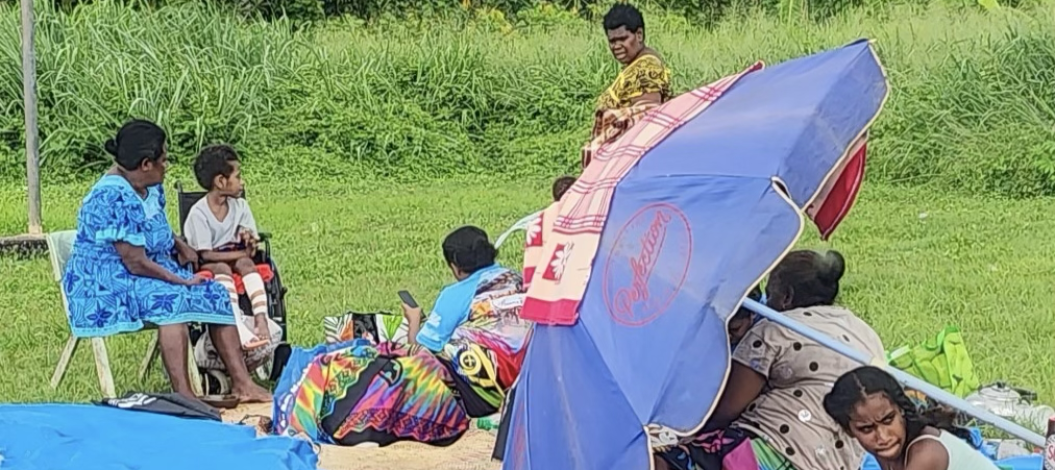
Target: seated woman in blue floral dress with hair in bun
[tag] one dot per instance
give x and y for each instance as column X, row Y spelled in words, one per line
column 122, row 274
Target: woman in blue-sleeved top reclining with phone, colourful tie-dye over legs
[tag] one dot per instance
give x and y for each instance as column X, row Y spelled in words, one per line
column 456, row 366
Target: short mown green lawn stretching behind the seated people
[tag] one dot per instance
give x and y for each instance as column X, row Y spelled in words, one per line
column 917, row 261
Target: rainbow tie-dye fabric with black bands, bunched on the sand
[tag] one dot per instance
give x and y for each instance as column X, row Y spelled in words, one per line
column 366, row 393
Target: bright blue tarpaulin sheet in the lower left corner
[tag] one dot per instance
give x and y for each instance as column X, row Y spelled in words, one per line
column 93, row 438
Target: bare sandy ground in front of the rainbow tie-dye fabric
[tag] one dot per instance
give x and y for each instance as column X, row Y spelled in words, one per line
column 472, row 453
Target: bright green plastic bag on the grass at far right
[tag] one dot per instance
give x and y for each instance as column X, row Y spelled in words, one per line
column 942, row 361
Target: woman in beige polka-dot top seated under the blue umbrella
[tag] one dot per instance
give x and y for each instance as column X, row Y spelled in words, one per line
column 771, row 415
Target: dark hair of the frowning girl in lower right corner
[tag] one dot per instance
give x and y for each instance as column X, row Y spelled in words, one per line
column 857, row 385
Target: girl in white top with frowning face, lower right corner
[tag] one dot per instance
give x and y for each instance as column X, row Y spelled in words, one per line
column 873, row 408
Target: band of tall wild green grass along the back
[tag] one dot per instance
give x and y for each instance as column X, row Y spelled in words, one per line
column 972, row 105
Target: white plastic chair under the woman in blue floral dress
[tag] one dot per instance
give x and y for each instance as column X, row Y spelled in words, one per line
column 60, row 248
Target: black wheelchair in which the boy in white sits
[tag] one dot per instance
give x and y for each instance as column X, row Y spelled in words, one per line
column 265, row 264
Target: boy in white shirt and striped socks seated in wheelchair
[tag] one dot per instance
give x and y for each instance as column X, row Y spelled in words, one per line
column 222, row 229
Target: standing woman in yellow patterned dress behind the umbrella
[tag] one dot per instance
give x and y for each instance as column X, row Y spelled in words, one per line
column 643, row 85
